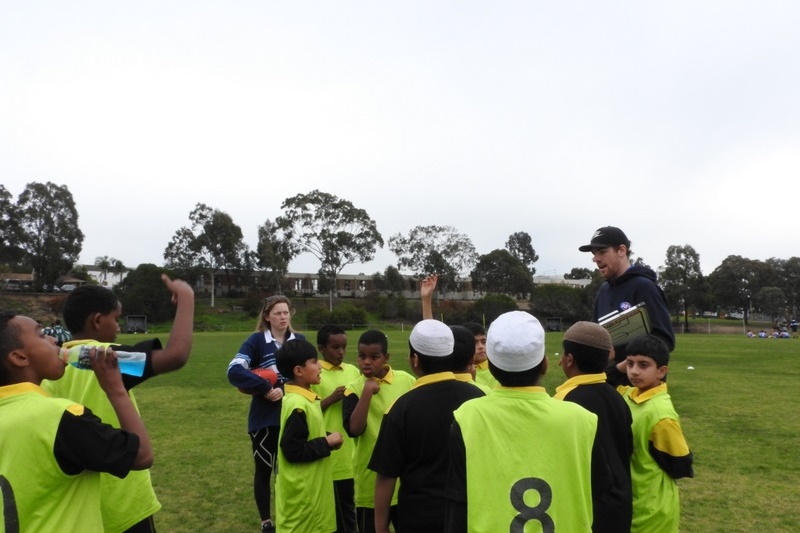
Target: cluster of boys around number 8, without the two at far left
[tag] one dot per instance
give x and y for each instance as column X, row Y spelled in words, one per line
column 444, row 452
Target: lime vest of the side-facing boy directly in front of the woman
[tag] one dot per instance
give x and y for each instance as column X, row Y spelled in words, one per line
column 304, row 500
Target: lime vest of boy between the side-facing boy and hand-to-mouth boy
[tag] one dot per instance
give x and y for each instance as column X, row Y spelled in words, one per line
column 330, row 378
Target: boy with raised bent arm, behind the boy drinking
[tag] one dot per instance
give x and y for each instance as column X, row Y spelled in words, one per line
column 92, row 312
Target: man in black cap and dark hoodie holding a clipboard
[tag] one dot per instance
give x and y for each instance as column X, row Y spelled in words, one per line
column 627, row 285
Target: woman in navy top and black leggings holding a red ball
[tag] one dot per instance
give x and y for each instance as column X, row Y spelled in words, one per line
column 263, row 422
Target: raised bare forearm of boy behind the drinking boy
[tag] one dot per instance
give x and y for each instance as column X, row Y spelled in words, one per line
column 179, row 345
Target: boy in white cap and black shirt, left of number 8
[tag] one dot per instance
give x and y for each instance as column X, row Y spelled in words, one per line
column 412, row 443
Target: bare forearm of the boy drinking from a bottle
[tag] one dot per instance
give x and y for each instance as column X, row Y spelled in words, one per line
column 106, row 368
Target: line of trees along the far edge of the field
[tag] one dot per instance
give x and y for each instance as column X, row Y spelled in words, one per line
column 40, row 233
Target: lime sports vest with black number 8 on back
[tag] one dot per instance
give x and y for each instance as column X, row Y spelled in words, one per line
column 544, row 482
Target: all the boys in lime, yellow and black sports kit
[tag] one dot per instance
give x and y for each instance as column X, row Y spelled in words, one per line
column 469, row 442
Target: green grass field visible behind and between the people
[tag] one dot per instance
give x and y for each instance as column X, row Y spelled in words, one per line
column 739, row 412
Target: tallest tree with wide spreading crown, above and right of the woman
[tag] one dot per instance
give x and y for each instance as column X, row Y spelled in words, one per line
column 332, row 229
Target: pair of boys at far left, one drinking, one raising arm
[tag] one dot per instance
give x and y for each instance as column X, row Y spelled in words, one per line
column 74, row 452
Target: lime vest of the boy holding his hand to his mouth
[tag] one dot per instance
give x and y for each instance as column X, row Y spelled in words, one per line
column 393, row 384
